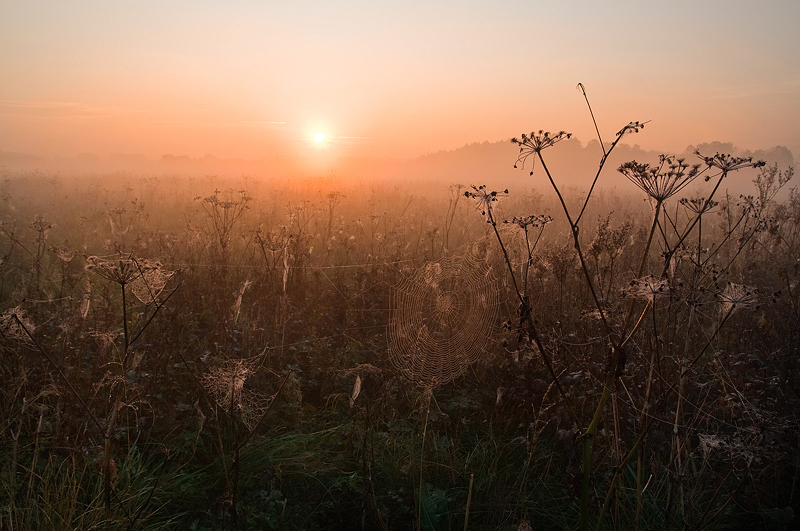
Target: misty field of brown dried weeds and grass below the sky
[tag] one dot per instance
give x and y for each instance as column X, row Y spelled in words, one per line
column 235, row 353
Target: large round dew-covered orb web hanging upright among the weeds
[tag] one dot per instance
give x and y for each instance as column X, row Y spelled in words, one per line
column 441, row 319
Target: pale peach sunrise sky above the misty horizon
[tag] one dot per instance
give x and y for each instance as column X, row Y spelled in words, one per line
column 252, row 79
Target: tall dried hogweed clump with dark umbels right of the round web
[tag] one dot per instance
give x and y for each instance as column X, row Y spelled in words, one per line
column 665, row 359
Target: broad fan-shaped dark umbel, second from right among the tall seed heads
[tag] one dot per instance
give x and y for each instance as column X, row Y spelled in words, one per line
column 663, row 181
